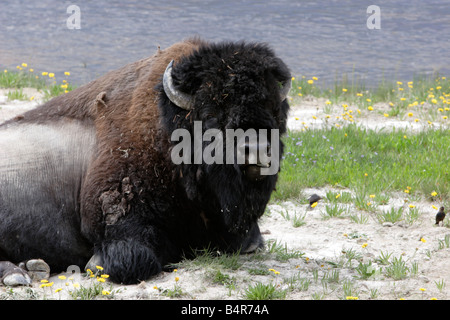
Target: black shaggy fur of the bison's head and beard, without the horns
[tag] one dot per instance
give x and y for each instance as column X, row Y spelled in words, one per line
column 235, row 86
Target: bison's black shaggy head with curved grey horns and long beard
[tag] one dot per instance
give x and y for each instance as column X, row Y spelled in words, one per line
column 218, row 88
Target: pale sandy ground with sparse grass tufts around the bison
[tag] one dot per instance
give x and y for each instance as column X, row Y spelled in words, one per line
column 324, row 242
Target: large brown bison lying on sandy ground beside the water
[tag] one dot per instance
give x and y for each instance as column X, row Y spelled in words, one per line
column 101, row 188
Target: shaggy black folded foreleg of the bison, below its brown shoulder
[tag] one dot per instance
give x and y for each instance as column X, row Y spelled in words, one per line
column 126, row 261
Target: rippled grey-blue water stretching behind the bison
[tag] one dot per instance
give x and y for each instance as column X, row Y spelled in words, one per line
column 325, row 39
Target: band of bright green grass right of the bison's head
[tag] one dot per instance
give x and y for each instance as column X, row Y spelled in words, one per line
column 364, row 160
